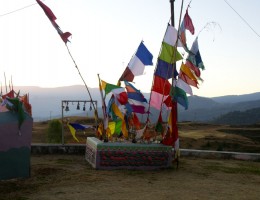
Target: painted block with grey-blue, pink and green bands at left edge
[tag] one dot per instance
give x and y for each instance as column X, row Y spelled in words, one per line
column 15, row 146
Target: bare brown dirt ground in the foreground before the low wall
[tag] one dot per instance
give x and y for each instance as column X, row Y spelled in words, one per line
column 69, row 177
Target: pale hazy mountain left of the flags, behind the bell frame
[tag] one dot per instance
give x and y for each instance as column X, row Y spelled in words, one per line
column 46, row 102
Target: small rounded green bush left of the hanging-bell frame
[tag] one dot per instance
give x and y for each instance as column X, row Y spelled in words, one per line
column 54, row 131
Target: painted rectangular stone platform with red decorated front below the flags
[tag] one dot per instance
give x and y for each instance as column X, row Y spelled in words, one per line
column 123, row 155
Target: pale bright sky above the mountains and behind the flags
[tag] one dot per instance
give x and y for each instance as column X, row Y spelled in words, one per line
column 106, row 34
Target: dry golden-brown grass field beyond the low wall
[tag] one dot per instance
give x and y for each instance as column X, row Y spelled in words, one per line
column 192, row 136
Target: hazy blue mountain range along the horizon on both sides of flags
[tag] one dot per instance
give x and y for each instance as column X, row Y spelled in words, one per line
column 46, row 103
